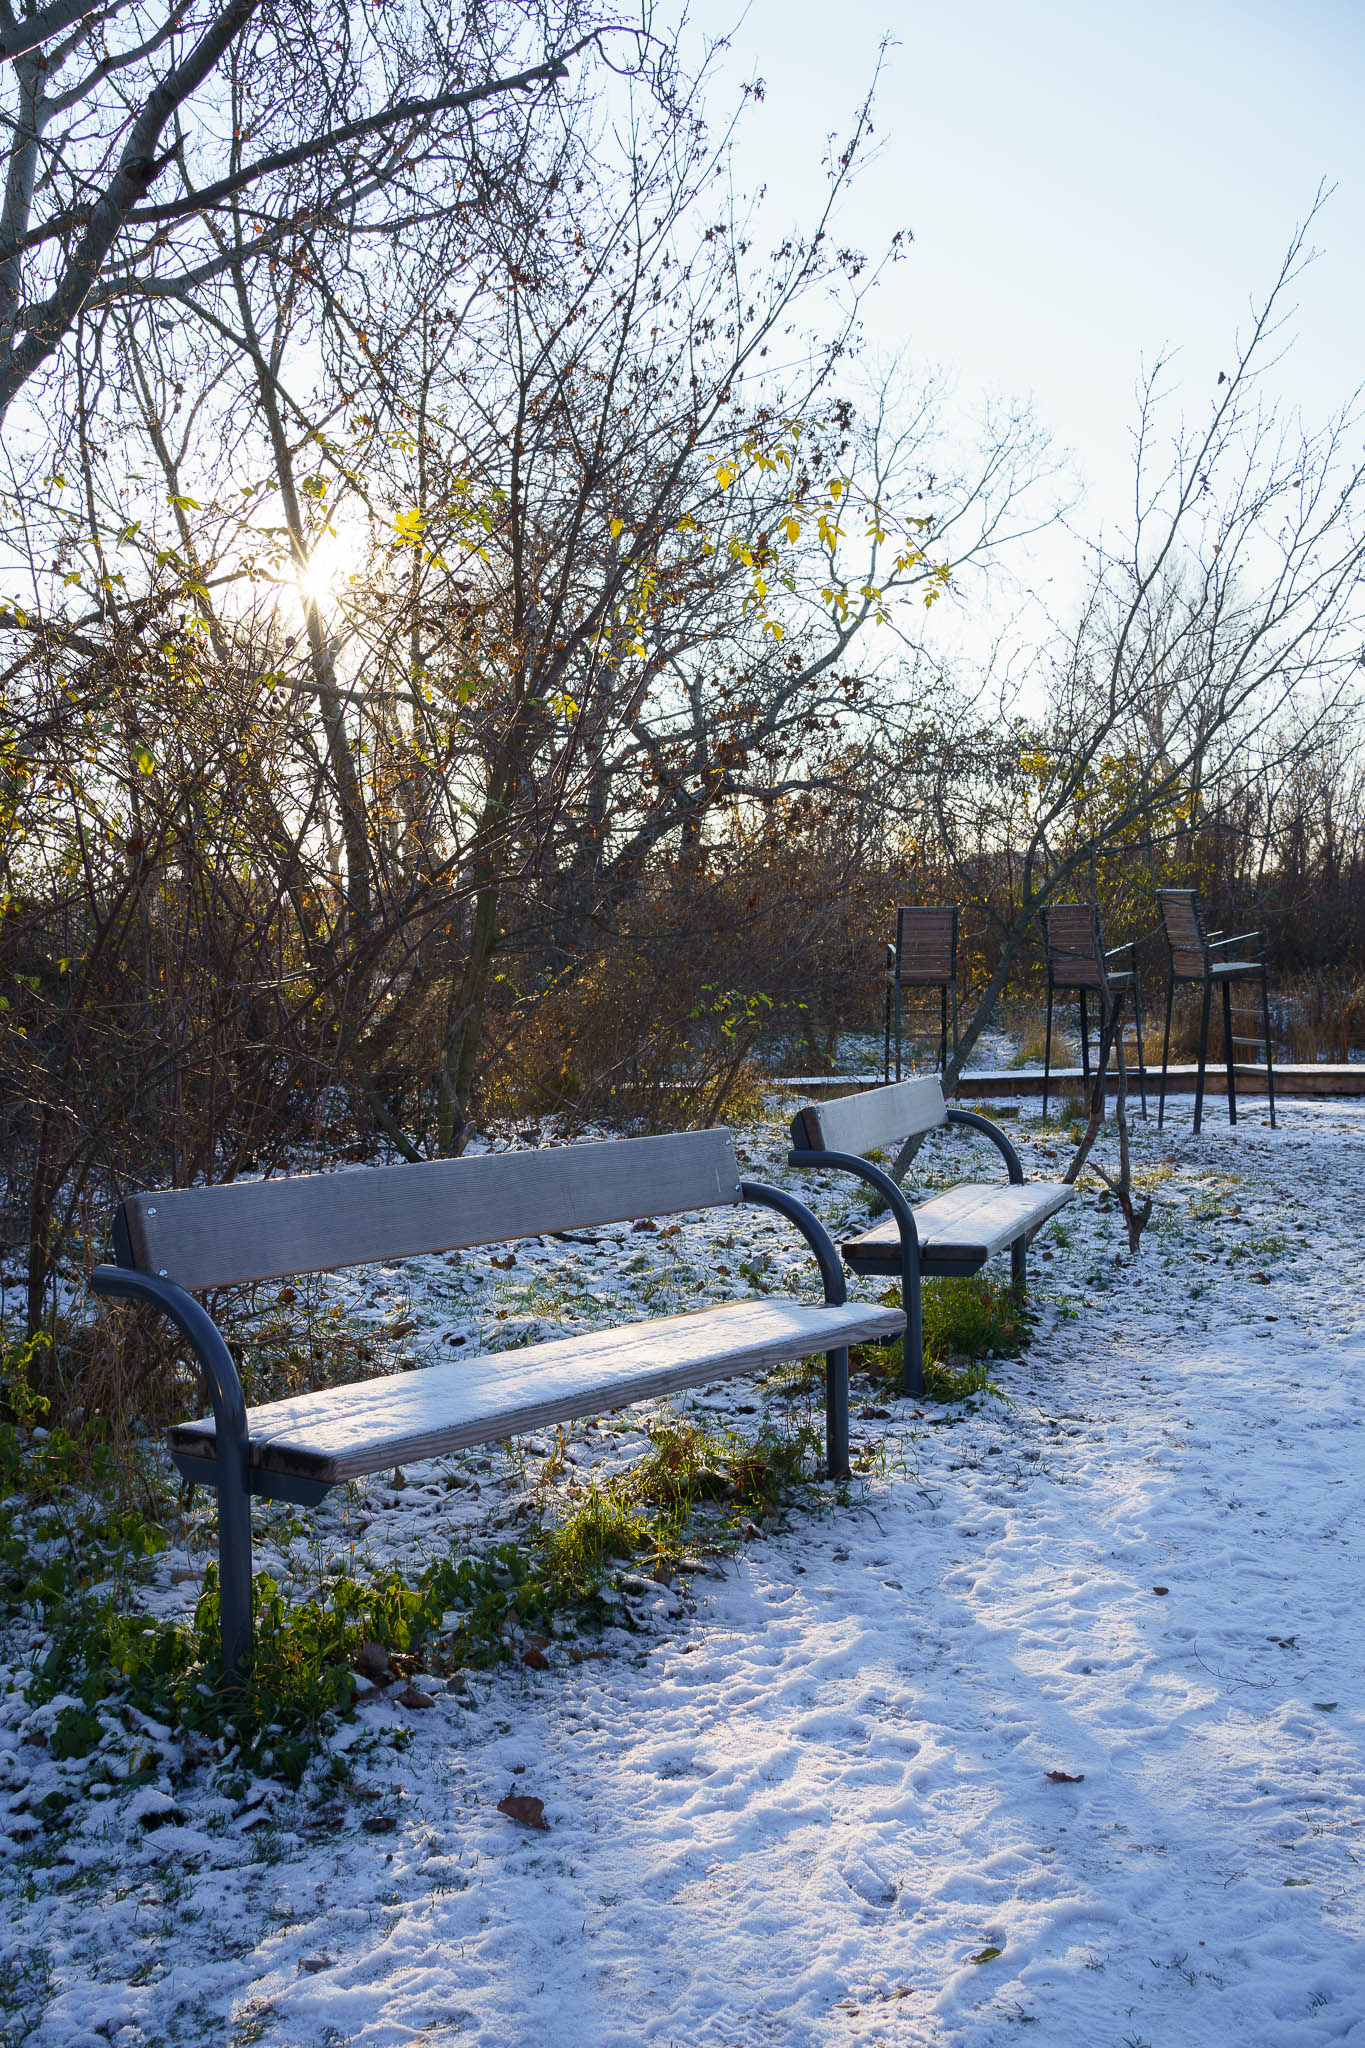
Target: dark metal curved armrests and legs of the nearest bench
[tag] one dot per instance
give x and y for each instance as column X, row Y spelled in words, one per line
column 234, row 1474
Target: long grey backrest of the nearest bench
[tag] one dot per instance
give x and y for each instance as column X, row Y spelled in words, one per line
column 263, row 1230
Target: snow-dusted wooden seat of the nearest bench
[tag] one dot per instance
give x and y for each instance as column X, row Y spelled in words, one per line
column 347, row 1433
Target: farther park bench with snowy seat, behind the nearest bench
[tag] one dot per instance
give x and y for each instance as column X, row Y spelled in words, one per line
column 951, row 1234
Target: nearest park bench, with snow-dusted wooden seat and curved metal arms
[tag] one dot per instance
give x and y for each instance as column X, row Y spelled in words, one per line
column 181, row 1242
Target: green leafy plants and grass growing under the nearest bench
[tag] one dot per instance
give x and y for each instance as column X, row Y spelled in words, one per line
column 71, row 1555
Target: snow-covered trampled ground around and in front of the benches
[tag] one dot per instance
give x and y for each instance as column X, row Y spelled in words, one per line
column 1059, row 1723
